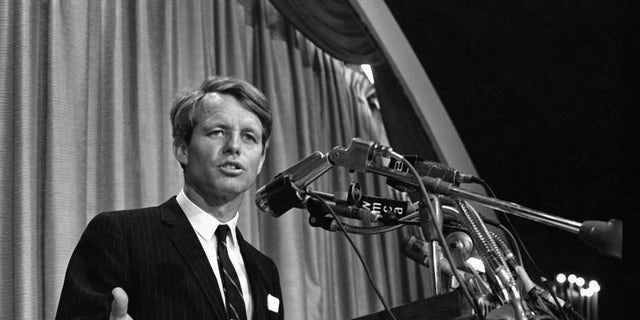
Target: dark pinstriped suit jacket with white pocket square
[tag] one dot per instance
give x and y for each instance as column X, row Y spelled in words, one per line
column 155, row 256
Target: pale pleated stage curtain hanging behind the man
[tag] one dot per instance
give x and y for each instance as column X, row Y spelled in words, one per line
column 85, row 95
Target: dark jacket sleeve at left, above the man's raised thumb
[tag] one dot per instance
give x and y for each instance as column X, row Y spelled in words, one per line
column 98, row 264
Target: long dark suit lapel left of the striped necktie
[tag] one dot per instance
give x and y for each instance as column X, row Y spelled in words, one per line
column 186, row 242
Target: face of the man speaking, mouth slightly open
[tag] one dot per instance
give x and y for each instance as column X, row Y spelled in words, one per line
column 225, row 154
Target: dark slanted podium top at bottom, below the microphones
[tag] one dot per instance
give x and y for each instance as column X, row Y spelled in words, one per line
column 447, row 306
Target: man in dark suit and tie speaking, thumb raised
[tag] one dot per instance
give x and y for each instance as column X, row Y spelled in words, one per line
column 185, row 259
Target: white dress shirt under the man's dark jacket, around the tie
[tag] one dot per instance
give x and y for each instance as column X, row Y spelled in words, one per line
column 205, row 226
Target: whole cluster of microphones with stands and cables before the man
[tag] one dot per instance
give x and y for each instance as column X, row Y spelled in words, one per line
column 414, row 175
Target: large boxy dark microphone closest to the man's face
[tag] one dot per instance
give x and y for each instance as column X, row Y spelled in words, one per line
column 281, row 193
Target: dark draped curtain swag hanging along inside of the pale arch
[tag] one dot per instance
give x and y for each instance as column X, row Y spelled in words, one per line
column 335, row 27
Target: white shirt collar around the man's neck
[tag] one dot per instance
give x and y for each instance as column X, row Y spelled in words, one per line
column 203, row 223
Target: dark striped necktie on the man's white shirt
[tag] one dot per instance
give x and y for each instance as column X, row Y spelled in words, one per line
column 230, row 282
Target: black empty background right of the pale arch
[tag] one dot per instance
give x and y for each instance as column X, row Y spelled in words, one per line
column 543, row 94
